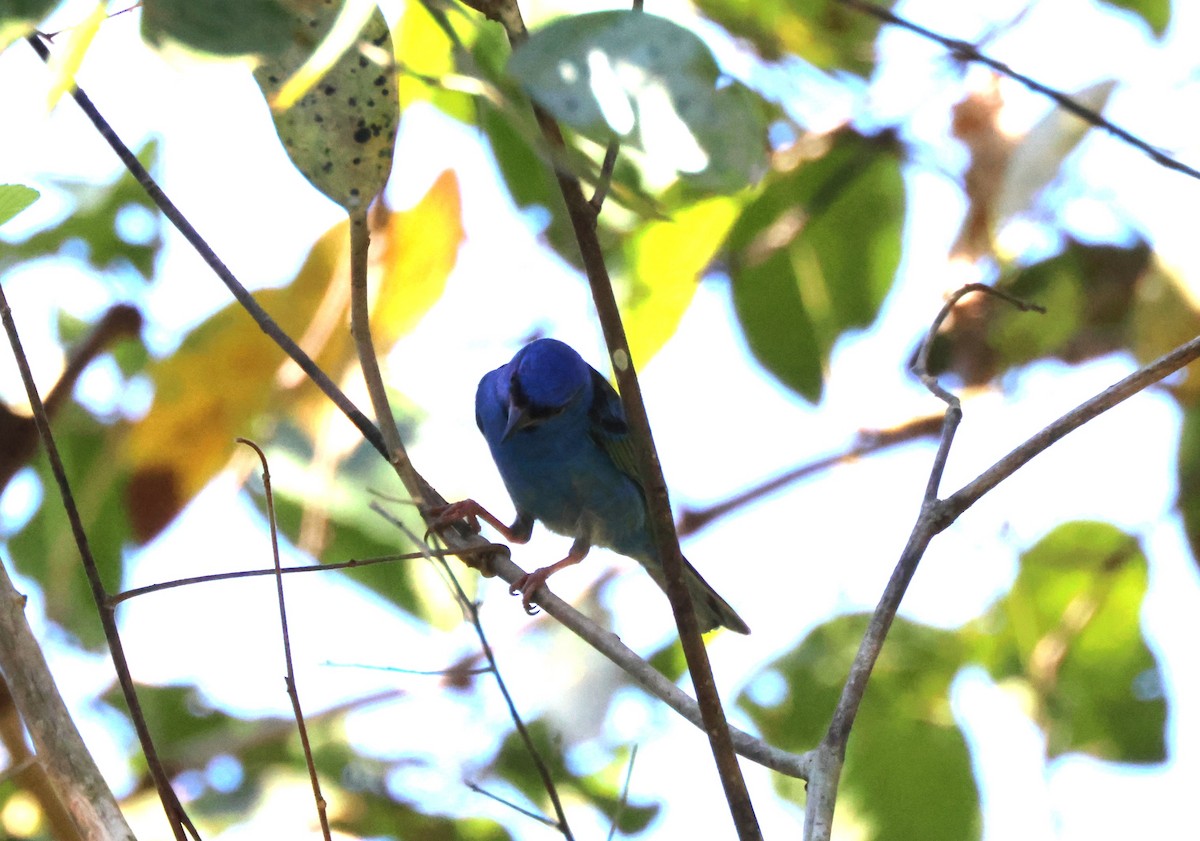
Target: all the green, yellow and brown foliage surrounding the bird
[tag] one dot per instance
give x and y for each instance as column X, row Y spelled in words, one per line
column 807, row 230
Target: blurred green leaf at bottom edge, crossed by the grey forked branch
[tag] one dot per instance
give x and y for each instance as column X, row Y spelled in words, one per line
column 904, row 724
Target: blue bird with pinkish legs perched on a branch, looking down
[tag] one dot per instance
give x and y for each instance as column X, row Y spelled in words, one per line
column 559, row 435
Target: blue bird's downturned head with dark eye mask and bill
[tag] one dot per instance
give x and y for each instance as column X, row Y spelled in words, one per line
column 545, row 379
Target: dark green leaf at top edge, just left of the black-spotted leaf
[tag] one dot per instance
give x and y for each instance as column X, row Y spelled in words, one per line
column 220, row 27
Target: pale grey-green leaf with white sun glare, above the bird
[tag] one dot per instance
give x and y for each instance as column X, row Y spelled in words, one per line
column 653, row 85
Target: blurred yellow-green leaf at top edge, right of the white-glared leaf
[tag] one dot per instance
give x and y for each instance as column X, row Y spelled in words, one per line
column 825, row 33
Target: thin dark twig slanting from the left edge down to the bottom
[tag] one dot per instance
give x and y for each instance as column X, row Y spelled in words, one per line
column 176, row 815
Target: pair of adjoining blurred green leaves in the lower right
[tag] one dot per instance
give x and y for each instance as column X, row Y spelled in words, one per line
column 1066, row 639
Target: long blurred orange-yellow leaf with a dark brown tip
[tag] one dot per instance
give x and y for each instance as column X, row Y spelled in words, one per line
column 227, row 374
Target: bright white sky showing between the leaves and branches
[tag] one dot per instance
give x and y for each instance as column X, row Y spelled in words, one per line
column 225, row 169
